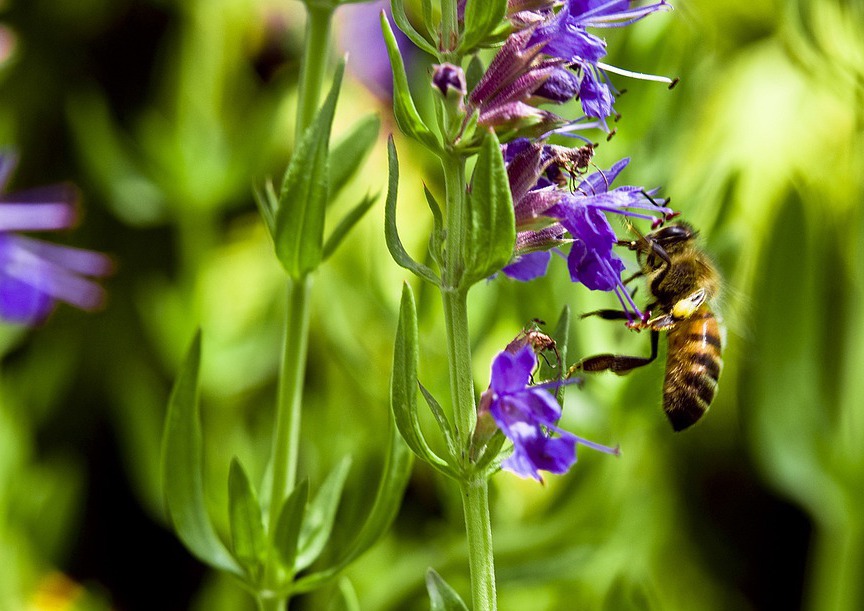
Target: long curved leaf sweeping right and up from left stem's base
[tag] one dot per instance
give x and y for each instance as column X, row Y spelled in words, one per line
column 397, row 471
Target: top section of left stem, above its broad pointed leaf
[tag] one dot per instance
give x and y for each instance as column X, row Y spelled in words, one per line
column 315, row 55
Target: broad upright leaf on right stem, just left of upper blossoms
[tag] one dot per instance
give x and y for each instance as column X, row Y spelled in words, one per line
column 491, row 232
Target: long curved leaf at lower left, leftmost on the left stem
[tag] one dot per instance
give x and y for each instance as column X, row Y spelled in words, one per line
column 182, row 463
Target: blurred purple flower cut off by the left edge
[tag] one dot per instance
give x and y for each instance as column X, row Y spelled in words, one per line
column 34, row 275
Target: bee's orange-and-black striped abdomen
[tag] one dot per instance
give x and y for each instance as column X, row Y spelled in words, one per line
column 693, row 365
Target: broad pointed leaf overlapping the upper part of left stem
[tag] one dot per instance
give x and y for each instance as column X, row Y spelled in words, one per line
column 303, row 199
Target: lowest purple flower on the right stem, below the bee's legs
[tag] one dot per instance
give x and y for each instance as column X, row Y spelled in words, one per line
column 528, row 415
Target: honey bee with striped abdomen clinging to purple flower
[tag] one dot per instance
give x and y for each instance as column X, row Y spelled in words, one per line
column 682, row 281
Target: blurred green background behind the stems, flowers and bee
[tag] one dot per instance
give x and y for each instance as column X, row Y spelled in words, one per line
column 165, row 113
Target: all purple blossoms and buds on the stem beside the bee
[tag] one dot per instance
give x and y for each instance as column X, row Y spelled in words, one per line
column 552, row 57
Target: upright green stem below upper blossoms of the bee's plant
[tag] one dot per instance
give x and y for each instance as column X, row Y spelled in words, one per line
column 475, row 492
